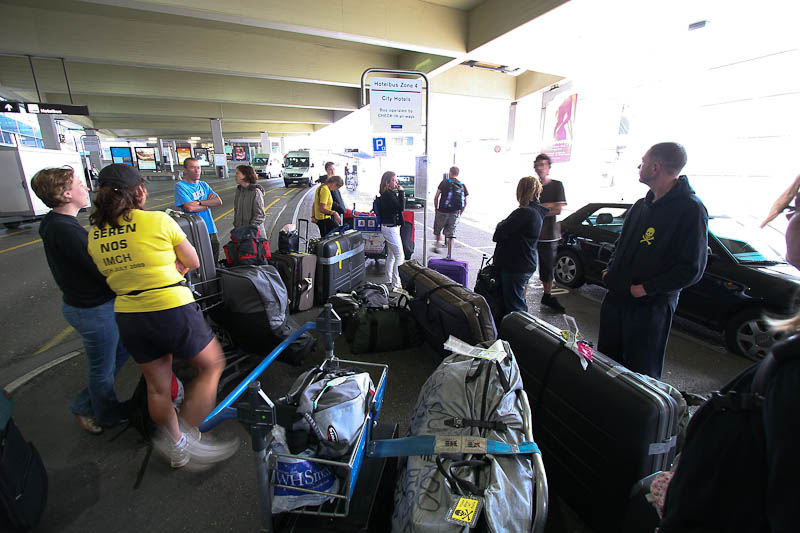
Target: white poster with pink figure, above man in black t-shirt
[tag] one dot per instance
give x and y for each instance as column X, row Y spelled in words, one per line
column 558, row 107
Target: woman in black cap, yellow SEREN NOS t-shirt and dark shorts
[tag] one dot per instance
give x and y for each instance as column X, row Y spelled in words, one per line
column 144, row 256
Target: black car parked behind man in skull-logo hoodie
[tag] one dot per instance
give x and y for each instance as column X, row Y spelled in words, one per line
column 744, row 278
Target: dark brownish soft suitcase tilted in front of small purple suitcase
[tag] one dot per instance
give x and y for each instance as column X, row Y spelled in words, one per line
column 443, row 307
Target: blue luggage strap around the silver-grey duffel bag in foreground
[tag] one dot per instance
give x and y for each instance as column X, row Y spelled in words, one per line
column 436, row 444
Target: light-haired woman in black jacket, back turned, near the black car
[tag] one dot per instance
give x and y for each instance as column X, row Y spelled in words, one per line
column 516, row 238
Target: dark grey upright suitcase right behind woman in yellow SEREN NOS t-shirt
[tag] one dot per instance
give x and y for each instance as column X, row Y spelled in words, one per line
column 204, row 280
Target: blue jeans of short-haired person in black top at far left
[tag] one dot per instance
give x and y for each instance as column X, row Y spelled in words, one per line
column 106, row 356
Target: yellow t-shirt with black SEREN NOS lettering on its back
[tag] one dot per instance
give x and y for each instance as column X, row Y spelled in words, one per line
column 138, row 255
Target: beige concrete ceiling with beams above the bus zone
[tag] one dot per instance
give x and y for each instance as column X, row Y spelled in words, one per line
column 164, row 67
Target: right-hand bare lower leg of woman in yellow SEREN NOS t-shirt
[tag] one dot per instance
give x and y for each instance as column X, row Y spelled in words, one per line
column 201, row 396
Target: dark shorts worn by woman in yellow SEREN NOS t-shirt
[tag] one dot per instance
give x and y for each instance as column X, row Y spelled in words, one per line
column 180, row 331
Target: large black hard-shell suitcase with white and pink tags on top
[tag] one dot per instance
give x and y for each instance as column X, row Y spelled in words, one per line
column 600, row 430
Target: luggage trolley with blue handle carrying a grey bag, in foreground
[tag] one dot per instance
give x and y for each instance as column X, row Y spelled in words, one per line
column 259, row 415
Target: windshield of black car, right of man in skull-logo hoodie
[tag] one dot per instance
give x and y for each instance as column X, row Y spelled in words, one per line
column 746, row 244
